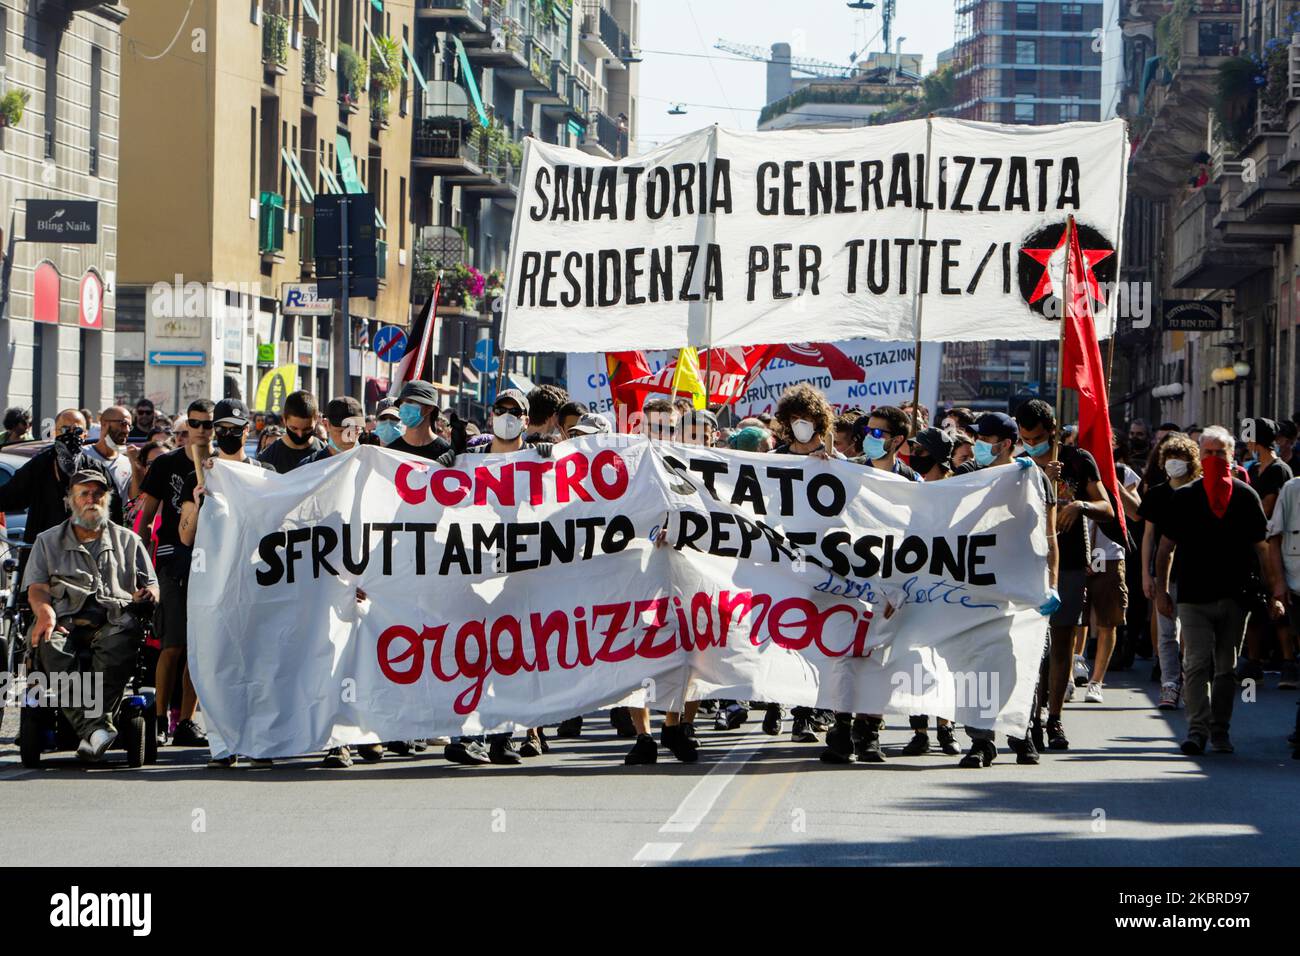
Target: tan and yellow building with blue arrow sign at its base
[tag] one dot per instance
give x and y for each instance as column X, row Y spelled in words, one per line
column 239, row 115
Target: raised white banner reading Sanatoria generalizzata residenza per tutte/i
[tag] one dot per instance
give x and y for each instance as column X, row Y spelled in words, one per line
column 727, row 239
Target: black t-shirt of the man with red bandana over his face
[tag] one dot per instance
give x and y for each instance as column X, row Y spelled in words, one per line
column 1215, row 557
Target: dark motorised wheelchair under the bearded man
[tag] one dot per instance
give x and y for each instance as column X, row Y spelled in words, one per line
column 44, row 729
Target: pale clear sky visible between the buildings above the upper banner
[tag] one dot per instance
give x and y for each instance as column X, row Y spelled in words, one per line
column 721, row 88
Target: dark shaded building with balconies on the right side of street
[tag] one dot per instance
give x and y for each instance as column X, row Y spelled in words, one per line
column 1212, row 94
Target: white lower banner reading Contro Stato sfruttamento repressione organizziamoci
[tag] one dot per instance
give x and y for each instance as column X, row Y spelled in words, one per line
column 515, row 591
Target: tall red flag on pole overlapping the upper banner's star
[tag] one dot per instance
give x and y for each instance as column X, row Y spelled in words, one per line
column 1082, row 370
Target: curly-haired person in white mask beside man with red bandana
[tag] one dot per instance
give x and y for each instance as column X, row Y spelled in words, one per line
column 1180, row 458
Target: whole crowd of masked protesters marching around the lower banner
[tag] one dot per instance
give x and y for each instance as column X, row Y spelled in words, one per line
column 1202, row 578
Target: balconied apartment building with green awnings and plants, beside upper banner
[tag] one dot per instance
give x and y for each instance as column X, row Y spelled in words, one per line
column 500, row 72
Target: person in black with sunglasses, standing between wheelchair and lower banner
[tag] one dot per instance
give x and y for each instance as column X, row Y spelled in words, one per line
column 163, row 494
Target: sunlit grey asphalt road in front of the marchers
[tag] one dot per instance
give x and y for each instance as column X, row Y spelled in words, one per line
column 1123, row 795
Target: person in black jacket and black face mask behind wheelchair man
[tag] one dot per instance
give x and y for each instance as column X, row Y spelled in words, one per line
column 41, row 486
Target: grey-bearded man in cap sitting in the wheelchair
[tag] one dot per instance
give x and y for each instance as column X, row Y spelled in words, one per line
column 83, row 578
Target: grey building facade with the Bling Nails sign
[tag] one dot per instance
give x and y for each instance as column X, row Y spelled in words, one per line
column 59, row 201
